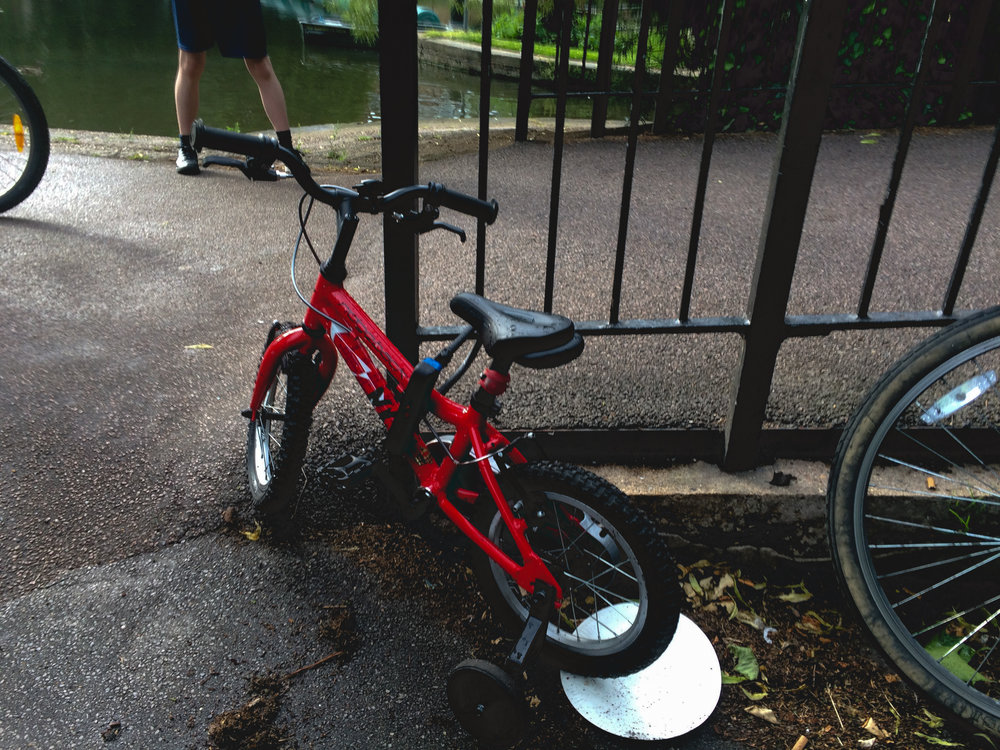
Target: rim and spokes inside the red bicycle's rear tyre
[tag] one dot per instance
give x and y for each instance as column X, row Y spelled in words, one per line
column 595, row 567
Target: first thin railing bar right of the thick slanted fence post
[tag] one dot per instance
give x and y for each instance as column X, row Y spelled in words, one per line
column 902, row 149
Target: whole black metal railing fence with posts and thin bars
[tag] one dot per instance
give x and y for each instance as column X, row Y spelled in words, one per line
column 958, row 30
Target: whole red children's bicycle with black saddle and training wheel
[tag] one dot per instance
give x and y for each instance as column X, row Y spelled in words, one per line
column 559, row 552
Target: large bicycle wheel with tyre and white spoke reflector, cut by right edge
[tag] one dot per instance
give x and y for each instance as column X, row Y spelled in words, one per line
column 914, row 503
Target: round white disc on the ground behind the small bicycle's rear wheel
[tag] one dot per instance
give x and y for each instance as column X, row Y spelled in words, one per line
column 672, row 696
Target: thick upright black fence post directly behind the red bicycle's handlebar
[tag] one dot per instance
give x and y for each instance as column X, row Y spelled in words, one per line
column 397, row 26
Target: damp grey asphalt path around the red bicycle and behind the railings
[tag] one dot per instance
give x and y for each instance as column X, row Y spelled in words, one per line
column 136, row 303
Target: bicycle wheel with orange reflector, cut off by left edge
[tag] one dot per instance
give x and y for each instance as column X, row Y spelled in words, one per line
column 24, row 138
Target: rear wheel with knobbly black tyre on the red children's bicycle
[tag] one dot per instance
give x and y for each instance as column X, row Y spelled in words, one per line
column 621, row 598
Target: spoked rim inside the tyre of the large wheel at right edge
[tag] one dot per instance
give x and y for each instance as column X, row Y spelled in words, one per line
column 927, row 524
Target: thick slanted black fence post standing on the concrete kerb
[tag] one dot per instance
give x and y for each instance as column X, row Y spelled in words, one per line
column 801, row 129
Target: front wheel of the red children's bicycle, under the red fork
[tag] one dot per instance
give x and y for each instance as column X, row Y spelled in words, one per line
column 278, row 436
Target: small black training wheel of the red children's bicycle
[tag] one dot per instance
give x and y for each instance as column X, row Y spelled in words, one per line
column 487, row 703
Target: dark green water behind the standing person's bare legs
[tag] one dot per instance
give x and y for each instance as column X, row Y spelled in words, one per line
column 110, row 65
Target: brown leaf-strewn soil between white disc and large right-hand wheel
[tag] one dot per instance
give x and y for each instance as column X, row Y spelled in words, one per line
column 801, row 670
